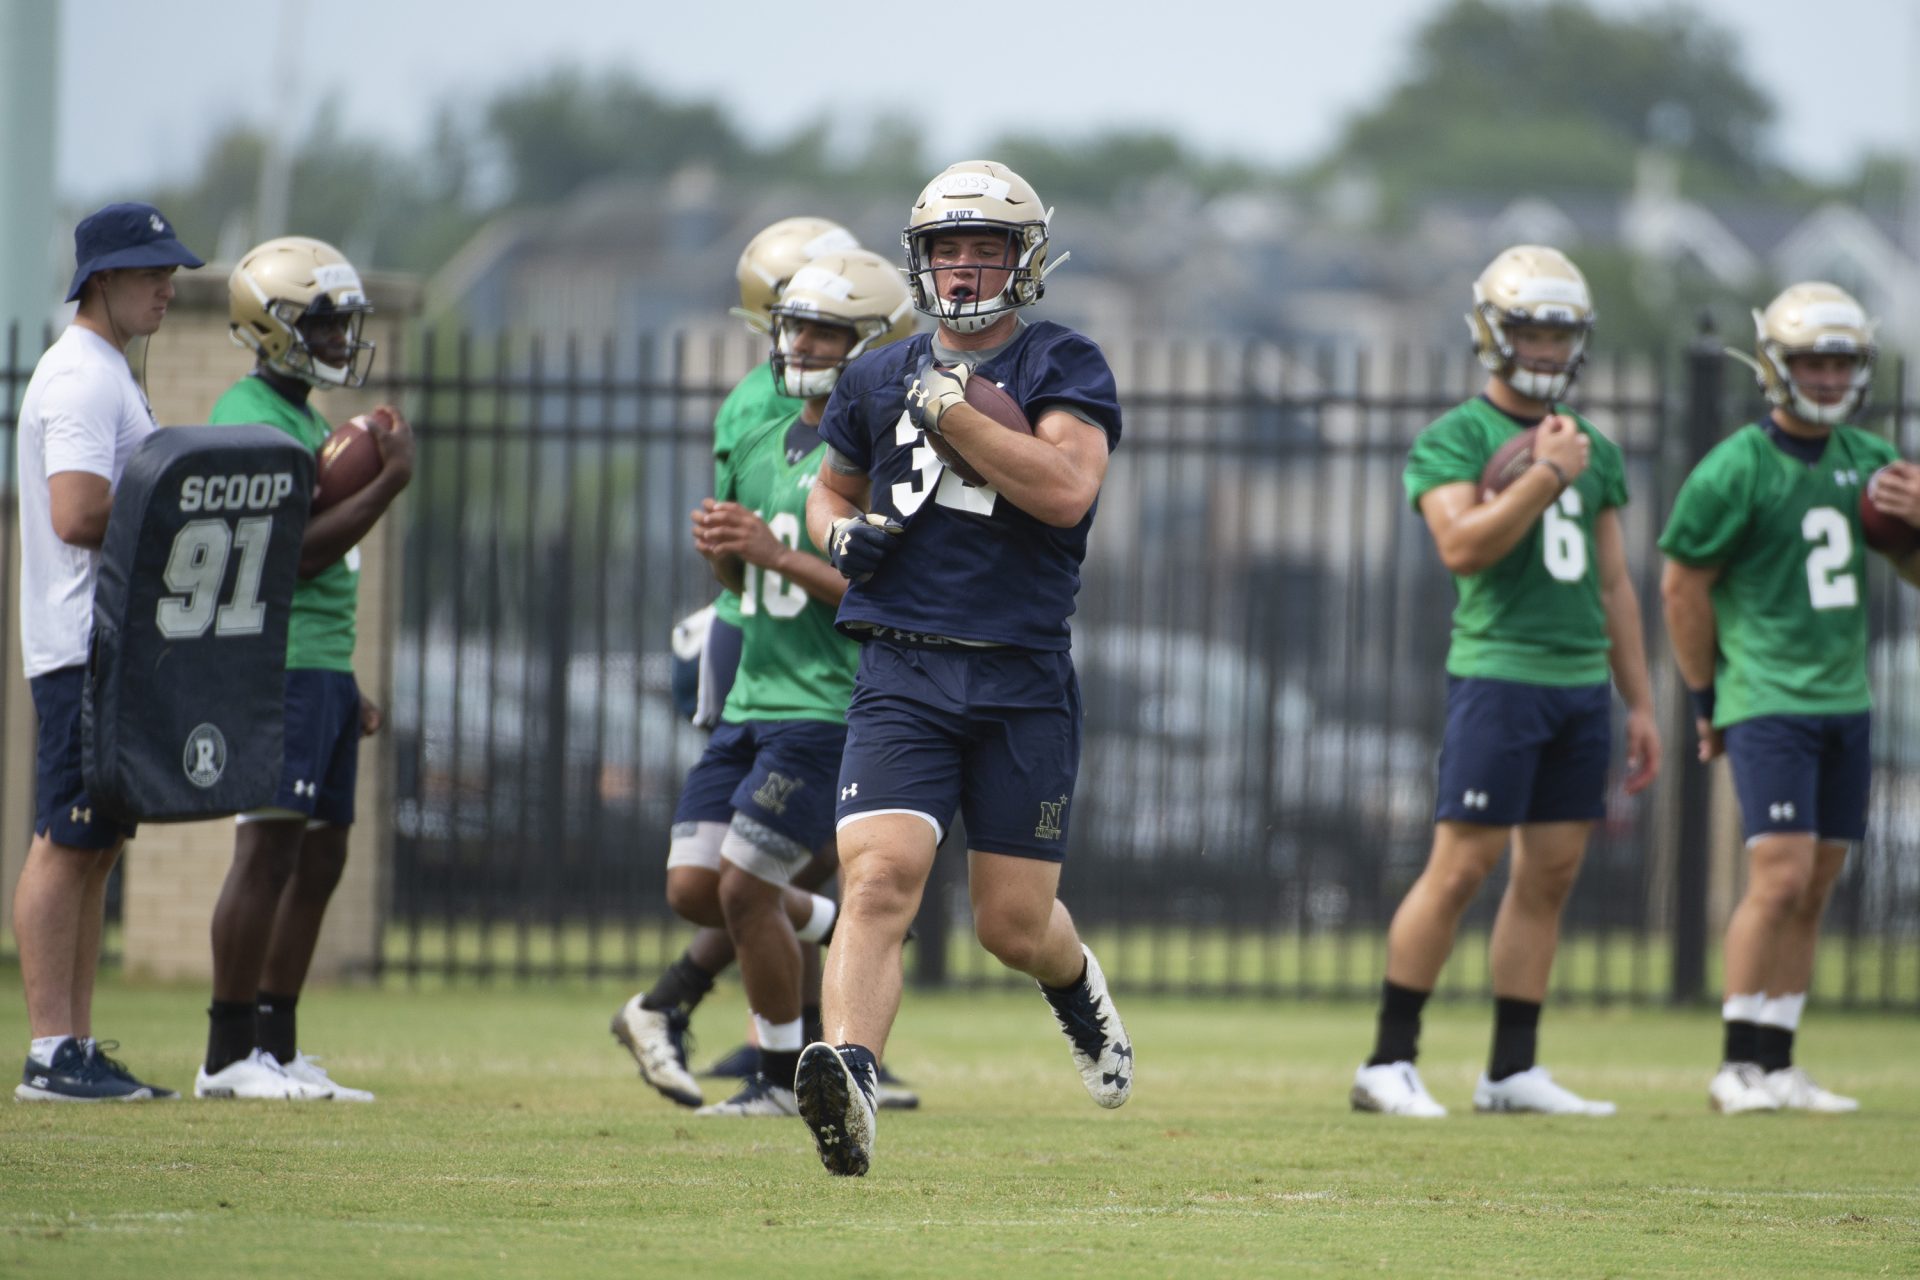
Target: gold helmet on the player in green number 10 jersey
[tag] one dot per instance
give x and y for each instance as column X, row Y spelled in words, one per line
column 855, row 291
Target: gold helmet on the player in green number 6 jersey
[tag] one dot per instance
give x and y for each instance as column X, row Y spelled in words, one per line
column 1539, row 287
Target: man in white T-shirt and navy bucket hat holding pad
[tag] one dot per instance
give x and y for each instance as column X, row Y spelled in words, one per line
column 82, row 419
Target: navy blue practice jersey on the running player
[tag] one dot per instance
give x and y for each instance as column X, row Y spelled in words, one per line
column 971, row 565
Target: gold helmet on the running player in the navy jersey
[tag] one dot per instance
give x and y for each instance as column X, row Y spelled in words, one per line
column 980, row 195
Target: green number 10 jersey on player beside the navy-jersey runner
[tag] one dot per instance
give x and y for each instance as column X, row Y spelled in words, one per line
column 792, row 663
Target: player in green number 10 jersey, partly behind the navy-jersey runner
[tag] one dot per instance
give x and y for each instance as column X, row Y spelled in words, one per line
column 769, row 774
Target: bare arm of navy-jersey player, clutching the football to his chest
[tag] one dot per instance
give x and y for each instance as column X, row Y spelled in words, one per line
column 1053, row 475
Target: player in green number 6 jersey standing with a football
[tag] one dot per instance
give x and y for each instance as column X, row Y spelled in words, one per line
column 1547, row 609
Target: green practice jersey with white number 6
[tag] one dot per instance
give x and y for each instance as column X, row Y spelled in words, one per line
column 1535, row 617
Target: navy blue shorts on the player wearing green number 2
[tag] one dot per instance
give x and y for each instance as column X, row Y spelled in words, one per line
column 1798, row 774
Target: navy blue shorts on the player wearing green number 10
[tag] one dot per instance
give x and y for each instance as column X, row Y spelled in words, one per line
column 779, row 772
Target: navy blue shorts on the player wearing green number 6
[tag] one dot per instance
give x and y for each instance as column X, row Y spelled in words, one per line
column 1524, row 753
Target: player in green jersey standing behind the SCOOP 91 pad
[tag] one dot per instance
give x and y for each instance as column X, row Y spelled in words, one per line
column 299, row 306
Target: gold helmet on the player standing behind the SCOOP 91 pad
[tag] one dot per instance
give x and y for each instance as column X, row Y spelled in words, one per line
column 287, row 283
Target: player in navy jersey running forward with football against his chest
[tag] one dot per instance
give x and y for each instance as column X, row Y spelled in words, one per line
column 967, row 696
